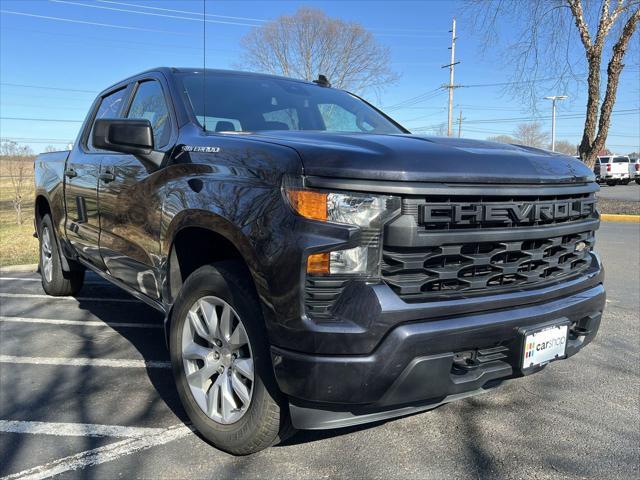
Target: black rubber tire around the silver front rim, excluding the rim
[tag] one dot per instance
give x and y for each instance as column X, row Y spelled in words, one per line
column 266, row 420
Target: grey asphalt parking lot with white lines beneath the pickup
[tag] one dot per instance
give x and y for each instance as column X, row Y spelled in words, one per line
column 85, row 392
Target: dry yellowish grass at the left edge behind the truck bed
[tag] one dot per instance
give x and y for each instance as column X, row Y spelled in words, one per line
column 17, row 245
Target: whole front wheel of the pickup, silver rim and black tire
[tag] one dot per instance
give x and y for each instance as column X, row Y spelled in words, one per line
column 221, row 361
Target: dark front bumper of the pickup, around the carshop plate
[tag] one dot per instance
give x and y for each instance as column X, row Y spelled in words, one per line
column 416, row 366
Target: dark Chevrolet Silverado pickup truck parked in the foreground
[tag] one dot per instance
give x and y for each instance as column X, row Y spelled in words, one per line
column 317, row 265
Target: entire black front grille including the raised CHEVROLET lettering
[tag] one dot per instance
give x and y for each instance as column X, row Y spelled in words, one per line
column 474, row 253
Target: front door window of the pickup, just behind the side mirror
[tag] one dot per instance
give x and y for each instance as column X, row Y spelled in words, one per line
column 149, row 104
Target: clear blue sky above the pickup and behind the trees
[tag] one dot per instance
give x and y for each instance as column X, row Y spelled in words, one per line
column 76, row 48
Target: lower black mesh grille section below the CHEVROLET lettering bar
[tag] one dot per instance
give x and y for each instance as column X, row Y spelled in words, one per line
column 471, row 267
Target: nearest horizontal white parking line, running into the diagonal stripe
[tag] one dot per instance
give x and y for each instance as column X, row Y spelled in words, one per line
column 74, row 429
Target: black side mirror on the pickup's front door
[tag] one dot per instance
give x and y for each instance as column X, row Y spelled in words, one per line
column 126, row 135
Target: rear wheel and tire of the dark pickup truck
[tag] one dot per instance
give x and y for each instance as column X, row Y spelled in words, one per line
column 55, row 281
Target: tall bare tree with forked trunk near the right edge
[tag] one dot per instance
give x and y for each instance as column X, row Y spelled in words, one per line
column 550, row 34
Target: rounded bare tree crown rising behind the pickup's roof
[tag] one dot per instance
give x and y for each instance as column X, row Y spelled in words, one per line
column 309, row 43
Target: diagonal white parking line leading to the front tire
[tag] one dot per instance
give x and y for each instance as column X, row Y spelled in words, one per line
column 100, row 455
